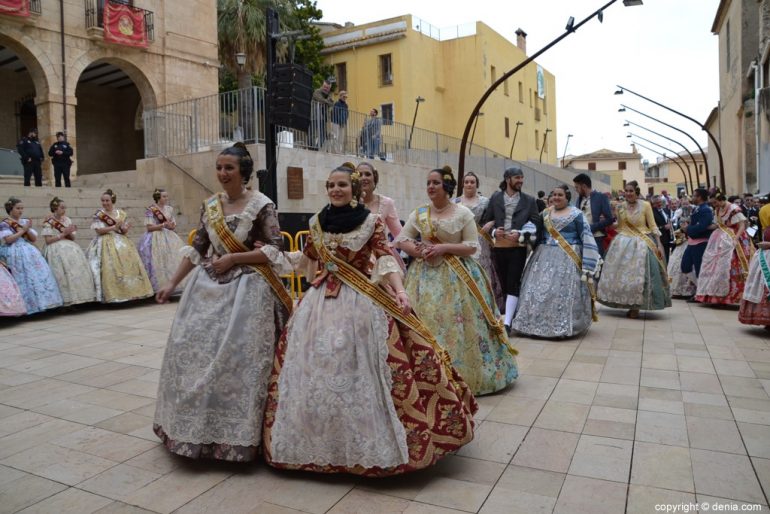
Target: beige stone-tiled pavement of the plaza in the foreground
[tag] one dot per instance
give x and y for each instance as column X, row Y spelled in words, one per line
column 668, row 410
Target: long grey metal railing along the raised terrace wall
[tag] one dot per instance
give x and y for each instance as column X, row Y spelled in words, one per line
column 213, row 121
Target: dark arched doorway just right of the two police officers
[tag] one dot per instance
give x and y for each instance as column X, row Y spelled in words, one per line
column 108, row 98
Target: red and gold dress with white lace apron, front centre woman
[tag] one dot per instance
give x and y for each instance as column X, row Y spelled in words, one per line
column 357, row 386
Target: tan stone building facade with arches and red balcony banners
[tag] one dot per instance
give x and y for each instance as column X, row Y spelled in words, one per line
column 58, row 73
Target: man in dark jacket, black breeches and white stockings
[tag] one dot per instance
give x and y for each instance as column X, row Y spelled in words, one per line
column 515, row 215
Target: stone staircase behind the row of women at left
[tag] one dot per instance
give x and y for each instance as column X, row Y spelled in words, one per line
column 82, row 200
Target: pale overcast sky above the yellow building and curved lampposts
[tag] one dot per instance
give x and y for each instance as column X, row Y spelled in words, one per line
column 664, row 50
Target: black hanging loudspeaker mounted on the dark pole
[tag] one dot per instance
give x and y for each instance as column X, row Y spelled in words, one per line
column 291, row 92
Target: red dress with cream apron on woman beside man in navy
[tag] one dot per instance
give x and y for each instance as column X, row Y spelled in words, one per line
column 726, row 260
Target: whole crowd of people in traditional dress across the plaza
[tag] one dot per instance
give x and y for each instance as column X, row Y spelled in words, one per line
column 376, row 369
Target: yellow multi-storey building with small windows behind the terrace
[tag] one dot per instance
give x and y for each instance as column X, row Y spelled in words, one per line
column 388, row 64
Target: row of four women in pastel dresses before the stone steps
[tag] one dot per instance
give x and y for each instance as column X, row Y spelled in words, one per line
column 111, row 270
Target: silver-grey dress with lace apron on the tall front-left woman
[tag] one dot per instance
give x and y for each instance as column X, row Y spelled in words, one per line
column 214, row 377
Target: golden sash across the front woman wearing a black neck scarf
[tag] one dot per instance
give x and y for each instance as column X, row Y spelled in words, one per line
column 360, row 283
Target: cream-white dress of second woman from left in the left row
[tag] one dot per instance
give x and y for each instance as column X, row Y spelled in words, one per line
column 68, row 264
